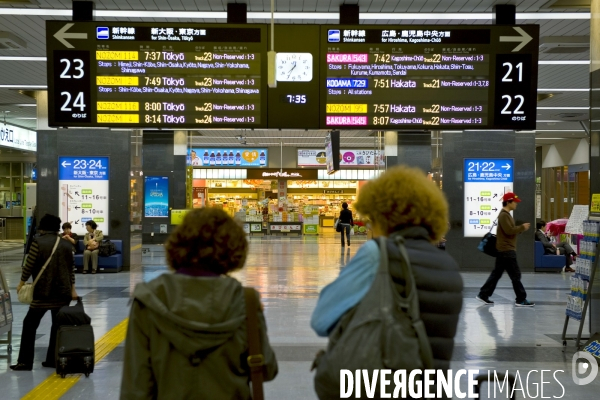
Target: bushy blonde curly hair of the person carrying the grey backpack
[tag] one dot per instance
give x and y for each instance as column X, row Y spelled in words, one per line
column 403, row 197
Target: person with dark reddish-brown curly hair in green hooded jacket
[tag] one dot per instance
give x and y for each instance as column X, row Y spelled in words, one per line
column 187, row 332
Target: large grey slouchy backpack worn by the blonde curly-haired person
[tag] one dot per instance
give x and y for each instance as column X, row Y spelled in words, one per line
column 384, row 331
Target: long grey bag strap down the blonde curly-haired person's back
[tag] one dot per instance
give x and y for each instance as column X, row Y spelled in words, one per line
column 413, row 299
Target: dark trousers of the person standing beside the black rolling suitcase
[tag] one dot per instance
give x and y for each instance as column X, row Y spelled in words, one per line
column 30, row 325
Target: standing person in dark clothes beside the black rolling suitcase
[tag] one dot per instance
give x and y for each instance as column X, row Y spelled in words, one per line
column 54, row 289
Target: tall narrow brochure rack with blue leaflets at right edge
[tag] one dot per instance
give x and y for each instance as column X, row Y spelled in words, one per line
column 582, row 281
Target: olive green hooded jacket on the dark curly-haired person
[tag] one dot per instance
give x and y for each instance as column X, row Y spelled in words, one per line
column 187, row 340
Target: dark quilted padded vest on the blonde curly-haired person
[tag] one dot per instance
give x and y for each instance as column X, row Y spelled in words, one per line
column 439, row 286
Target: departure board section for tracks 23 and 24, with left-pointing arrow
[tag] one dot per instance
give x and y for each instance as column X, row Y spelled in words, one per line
column 160, row 74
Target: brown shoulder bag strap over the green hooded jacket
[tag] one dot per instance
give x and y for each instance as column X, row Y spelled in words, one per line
column 256, row 359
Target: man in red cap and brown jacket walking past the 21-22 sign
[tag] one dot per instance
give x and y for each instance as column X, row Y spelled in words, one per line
column 506, row 260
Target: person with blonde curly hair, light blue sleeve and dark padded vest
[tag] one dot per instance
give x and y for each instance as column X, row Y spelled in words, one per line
column 401, row 202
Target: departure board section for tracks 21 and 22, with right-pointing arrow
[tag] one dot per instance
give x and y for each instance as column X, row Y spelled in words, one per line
column 429, row 77
